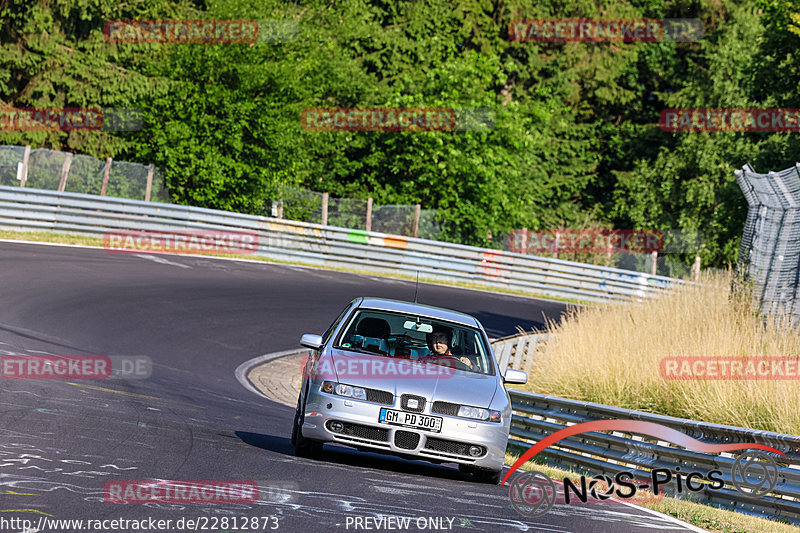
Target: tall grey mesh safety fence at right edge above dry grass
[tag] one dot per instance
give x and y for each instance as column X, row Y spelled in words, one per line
column 769, row 255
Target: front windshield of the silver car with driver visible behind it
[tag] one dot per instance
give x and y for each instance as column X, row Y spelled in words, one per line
column 416, row 337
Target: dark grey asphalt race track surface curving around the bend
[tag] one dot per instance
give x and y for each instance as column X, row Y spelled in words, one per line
column 198, row 319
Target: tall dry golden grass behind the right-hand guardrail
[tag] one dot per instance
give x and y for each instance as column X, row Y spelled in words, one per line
column 610, row 354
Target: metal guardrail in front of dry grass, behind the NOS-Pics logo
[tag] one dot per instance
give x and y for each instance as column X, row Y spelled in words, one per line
column 537, row 416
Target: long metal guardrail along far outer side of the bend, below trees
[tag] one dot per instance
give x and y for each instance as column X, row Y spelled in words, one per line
column 43, row 210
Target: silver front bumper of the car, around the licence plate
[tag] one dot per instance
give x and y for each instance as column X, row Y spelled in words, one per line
column 360, row 427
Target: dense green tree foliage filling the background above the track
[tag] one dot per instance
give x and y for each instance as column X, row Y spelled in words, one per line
column 575, row 142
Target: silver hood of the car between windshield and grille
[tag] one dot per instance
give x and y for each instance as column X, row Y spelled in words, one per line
column 402, row 376
